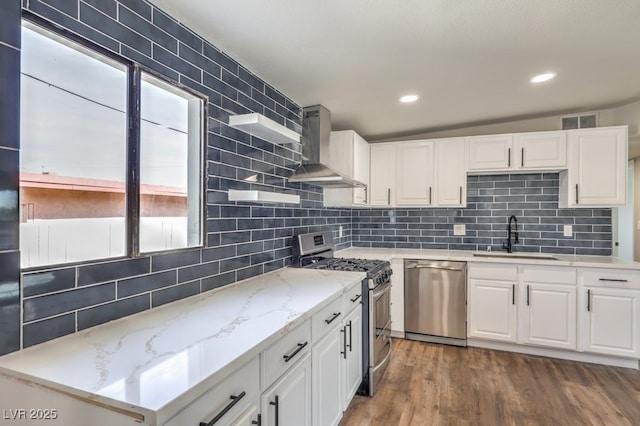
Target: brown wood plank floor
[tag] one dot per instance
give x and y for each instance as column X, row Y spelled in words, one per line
column 427, row 384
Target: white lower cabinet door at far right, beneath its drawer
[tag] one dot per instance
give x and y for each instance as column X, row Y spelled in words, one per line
column 612, row 321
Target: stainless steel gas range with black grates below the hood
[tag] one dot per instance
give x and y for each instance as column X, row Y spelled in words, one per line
column 315, row 250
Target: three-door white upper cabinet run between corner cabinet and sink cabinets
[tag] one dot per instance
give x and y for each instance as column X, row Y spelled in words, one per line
column 418, row 174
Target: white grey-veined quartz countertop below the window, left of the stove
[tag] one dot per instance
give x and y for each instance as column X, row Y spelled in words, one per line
column 156, row 362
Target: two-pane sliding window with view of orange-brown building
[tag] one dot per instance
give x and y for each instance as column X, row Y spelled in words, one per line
column 92, row 186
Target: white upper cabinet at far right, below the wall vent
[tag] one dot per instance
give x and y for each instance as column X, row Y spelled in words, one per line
column 597, row 168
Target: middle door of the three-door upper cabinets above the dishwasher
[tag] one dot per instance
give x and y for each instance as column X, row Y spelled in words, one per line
column 414, row 174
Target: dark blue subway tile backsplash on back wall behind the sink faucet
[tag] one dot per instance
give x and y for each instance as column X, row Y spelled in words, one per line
column 491, row 199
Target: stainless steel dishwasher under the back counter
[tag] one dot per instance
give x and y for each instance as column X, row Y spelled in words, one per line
column 435, row 301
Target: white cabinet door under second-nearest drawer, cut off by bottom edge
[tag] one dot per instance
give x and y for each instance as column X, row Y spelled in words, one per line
column 288, row 401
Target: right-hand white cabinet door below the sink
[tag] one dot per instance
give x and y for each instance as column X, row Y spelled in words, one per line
column 550, row 315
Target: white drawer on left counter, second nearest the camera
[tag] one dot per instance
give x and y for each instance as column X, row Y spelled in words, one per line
column 284, row 353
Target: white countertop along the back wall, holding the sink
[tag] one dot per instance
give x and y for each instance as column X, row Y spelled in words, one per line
column 500, row 257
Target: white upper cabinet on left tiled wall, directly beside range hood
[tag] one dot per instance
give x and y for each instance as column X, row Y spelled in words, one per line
column 348, row 155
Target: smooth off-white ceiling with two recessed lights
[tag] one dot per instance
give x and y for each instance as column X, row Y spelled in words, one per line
column 470, row 61
